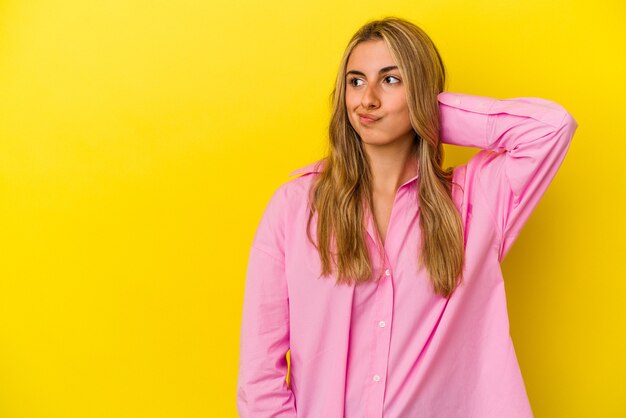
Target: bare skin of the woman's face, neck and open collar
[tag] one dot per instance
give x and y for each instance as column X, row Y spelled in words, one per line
column 387, row 142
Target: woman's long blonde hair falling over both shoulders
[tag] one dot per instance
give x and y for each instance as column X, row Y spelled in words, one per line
column 342, row 192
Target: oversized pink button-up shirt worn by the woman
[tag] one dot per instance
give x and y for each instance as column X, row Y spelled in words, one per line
column 394, row 348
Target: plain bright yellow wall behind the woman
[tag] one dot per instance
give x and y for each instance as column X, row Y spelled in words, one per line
column 141, row 140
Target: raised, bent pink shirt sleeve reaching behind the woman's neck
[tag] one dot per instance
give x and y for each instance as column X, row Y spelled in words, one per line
column 523, row 142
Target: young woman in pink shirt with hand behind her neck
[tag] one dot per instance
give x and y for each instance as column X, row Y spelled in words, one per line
column 378, row 269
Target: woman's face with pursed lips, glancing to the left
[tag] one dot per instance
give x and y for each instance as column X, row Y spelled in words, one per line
column 374, row 86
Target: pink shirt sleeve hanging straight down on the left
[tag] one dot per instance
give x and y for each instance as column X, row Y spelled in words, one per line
column 264, row 337
